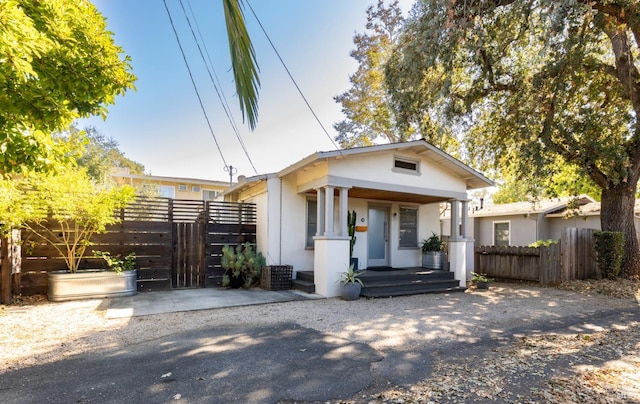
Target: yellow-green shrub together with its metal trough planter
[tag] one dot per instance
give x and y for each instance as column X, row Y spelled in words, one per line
column 66, row 210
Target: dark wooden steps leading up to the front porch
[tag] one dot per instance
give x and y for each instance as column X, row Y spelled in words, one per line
column 408, row 282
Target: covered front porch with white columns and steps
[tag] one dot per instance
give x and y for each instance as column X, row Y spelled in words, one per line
column 398, row 276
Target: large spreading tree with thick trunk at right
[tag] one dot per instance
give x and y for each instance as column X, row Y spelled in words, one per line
column 530, row 82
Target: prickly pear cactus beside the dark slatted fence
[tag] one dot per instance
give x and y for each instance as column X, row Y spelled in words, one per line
column 242, row 266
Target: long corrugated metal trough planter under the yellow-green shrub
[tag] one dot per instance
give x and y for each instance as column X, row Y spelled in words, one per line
column 90, row 284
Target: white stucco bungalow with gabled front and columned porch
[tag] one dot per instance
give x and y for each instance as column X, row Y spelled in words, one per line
column 395, row 190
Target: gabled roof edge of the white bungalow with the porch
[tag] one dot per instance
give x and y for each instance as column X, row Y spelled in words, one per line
column 473, row 178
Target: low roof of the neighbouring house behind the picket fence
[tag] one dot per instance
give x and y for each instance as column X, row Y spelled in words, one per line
column 545, row 206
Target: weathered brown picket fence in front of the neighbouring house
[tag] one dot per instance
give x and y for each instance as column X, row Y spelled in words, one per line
column 572, row 258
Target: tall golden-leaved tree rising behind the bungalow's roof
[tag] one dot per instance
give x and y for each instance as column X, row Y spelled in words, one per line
column 366, row 104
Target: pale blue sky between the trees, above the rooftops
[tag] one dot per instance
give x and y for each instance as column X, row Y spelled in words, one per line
column 161, row 125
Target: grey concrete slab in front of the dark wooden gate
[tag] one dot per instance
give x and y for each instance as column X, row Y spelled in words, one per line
column 171, row 301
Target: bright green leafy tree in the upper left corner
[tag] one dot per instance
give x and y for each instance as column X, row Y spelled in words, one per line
column 59, row 63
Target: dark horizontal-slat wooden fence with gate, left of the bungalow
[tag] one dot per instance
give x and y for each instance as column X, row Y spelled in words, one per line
column 178, row 244
